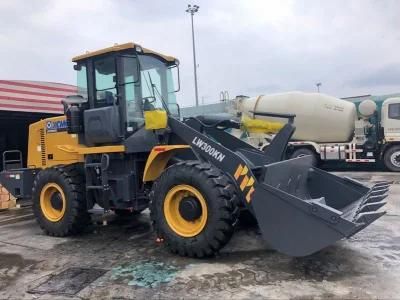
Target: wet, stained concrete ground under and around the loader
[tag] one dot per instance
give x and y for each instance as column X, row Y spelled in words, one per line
column 123, row 261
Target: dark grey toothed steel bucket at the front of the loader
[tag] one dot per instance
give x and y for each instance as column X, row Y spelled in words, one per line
column 301, row 209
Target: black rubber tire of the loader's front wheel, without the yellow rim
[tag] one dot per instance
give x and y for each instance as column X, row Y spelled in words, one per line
column 219, row 194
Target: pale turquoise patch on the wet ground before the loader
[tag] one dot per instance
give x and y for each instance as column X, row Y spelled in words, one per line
column 145, row 274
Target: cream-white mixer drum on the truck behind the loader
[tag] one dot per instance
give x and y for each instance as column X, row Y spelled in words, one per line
column 319, row 117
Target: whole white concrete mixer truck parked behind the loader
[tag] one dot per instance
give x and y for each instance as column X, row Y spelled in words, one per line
column 327, row 128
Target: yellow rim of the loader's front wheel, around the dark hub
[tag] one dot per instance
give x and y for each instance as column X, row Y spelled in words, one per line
column 173, row 216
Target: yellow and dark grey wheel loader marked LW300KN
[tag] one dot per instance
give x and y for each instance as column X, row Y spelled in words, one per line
column 122, row 145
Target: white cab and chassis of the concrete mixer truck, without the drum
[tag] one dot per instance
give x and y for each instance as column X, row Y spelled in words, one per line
column 376, row 139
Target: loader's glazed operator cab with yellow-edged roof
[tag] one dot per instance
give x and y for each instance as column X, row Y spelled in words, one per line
column 116, row 85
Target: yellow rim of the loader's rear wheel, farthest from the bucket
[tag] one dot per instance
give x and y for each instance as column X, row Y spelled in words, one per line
column 50, row 210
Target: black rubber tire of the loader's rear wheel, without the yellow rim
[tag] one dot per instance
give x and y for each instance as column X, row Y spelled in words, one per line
column 75, row 217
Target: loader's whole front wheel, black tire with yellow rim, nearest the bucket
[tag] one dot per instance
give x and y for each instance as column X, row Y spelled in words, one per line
column 194, row 208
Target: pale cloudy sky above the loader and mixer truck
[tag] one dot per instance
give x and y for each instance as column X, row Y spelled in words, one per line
column 246, row 47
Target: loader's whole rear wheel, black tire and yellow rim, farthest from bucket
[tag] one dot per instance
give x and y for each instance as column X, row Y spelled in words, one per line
column 58, row 201
